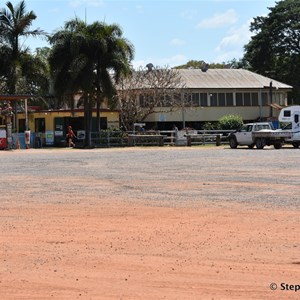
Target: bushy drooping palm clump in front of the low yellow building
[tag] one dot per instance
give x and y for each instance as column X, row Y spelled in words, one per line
column 90, row 59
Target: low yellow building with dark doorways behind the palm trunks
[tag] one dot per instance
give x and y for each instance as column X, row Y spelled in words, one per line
column 49, row 127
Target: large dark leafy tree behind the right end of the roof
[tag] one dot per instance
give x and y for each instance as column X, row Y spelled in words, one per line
column 274, row 50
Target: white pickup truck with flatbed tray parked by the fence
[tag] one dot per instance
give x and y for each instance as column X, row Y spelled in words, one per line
column 257, row 134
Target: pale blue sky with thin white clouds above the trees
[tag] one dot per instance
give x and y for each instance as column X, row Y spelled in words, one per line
column 166, row 33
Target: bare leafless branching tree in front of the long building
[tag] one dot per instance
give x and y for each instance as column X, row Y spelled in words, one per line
column 157, row 90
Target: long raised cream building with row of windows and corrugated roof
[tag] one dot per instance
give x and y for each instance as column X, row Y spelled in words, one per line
column 218, row 92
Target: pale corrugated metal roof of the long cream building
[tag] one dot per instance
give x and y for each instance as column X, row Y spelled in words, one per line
column 227, row 79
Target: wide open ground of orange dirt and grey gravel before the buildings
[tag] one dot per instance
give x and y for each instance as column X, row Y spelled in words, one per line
column 150, row 223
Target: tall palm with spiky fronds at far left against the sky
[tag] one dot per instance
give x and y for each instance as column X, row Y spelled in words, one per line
column 15, row 23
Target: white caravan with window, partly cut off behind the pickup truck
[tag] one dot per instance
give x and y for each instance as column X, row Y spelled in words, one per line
column 291, row 115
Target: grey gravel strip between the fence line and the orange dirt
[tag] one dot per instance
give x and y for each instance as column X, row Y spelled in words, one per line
column 162, row 176
